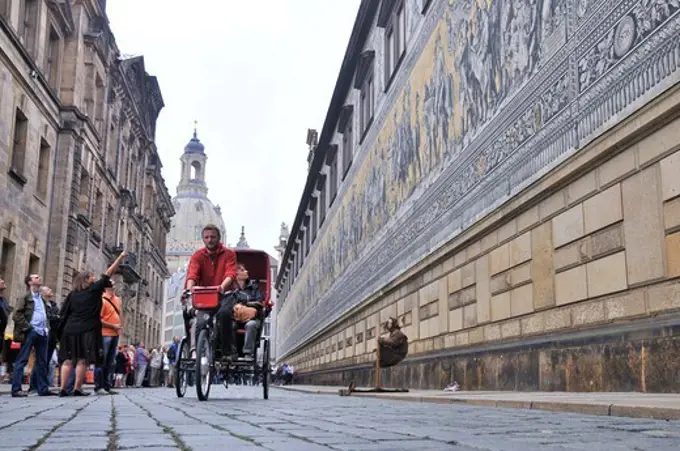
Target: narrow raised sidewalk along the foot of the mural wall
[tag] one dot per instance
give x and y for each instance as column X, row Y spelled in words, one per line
column 658, row 406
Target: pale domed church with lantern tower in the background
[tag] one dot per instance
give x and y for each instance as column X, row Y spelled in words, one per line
column 194, row 211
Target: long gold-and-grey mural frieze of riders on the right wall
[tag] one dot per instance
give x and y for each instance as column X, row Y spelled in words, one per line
column 522, row 105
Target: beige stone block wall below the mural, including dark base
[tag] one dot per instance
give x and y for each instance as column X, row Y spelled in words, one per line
column 572, row 286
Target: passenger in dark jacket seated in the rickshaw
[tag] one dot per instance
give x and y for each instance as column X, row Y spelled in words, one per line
column 248, row 309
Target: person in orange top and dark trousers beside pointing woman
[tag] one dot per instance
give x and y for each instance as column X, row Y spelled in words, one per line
column 111, row 326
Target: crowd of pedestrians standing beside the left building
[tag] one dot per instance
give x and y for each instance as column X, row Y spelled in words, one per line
column 80, row 338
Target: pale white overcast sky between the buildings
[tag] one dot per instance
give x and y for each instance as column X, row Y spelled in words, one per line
column 255, row 75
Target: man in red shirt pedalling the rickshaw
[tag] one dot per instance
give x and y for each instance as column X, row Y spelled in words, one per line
column 211, row 266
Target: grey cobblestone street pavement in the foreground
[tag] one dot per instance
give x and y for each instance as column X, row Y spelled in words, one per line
column 239, row 419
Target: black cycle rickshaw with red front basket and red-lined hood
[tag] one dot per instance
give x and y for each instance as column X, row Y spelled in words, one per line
column 195, row 364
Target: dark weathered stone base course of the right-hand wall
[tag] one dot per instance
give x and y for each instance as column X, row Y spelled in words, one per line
column 642, row 356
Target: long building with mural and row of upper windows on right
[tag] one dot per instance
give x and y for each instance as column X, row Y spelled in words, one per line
column 503, row 177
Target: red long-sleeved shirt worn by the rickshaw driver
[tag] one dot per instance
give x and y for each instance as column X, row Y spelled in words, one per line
column 210, row 268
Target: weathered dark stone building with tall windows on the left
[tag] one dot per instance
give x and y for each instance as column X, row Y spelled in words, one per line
column 79, row 170
